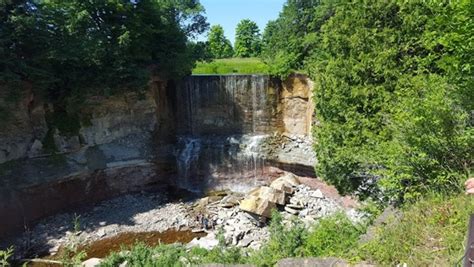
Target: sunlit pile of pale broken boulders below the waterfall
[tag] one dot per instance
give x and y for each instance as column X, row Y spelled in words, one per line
column 242, row 218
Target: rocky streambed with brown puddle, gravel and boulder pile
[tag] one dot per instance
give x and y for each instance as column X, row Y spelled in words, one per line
column 171, row 217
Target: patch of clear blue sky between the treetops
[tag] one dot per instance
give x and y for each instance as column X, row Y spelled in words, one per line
column 228, row 13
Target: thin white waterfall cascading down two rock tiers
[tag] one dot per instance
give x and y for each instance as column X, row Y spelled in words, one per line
column 225, row 119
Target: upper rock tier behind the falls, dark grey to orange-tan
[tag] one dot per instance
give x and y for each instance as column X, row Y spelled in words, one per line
column 232, row 104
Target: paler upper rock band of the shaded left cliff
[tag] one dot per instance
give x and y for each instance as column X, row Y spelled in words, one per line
column 22, row 134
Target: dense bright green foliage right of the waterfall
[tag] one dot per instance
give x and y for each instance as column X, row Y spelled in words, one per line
column 393, row 88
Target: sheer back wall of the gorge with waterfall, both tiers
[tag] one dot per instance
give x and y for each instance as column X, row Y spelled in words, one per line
column 233, row 128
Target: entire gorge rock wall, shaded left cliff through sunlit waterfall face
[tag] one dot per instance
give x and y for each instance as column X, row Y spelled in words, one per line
column 200, row 133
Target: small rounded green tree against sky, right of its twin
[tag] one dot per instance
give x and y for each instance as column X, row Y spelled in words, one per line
column 247, row 39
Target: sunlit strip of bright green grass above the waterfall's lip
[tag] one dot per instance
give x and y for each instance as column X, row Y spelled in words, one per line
column 232, row 66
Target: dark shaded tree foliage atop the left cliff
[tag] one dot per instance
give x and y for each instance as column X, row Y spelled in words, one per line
column 67, row 49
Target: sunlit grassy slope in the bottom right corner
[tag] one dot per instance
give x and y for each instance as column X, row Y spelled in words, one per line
column 431, row 232
